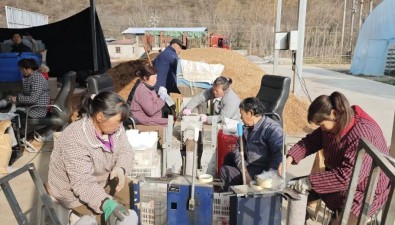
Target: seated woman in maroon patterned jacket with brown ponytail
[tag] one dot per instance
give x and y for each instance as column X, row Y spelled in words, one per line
column 341, row 127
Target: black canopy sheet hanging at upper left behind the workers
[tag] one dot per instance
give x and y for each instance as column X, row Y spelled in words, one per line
column 70, row 43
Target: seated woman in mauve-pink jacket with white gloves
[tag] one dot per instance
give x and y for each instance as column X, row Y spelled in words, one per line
column 147, row 105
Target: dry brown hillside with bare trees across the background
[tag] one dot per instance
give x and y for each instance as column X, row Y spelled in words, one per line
column 249, row 24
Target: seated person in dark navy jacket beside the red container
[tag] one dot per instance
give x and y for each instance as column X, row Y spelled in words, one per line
column 262, row 141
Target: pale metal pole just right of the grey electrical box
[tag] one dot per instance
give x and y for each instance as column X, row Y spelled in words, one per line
column 300, row 48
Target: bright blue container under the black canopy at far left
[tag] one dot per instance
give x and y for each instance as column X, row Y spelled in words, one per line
column 9, row 70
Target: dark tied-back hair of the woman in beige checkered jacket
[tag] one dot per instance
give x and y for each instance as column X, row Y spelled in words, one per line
column 107, row 102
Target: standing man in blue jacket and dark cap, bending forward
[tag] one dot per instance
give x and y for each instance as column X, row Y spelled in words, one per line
column 166, row 64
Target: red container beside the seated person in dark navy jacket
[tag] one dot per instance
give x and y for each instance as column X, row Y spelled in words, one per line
column 226, row 143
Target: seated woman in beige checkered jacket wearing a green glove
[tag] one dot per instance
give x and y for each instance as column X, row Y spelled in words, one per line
column 88, row 165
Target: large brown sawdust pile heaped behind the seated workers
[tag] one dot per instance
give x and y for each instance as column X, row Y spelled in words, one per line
column 246, row 82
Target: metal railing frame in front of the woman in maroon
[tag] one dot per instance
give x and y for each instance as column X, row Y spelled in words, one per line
column 380, row 163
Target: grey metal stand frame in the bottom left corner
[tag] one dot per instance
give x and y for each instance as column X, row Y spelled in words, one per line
column 12, row 201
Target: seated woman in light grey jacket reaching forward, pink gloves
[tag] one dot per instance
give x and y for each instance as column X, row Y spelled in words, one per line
column 226, row 101
